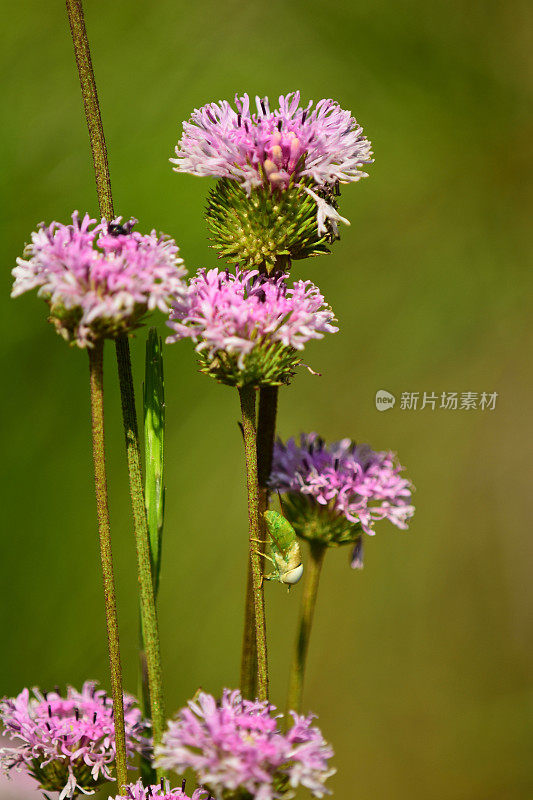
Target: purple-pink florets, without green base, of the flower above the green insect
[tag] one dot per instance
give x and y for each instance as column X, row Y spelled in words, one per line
column 354, row 480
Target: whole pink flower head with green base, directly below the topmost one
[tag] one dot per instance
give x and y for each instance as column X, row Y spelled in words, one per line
column 249, row 329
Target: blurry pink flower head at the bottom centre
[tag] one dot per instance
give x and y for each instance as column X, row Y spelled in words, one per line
column 237, row 745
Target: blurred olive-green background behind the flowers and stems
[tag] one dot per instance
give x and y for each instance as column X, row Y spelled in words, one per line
column 420, row 665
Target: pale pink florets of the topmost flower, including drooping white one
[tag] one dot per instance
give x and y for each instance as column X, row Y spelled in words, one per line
column 290, row 145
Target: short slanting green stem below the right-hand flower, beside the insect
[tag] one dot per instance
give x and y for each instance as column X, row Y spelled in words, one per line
column 313, row 568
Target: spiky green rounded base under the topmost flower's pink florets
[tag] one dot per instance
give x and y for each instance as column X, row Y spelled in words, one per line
column 268, row 227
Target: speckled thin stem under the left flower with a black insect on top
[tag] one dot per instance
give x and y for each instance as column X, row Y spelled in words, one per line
column 96, row 377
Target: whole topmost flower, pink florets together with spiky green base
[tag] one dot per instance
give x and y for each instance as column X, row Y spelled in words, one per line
column 280, row 171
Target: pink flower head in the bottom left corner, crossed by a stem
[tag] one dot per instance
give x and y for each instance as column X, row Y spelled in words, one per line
column 67, row 743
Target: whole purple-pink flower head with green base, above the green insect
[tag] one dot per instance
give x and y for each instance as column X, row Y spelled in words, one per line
column 338, row 484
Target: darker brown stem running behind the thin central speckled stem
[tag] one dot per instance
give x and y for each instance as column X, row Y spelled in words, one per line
column 266, row 430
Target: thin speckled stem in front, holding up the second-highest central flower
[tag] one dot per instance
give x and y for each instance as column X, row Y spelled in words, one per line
column 247, row 399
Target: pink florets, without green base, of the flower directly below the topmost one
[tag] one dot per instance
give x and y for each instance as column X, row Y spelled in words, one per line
column 235, row 313
